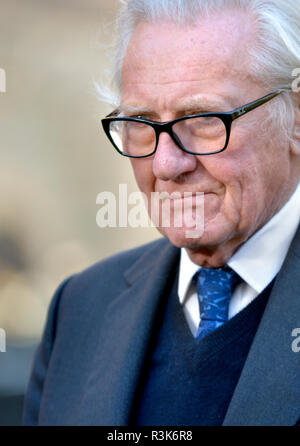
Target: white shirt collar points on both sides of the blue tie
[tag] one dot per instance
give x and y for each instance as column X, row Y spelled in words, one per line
column 260, row 258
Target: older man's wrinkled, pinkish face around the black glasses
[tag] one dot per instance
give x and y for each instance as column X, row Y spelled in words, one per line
column 172, row 71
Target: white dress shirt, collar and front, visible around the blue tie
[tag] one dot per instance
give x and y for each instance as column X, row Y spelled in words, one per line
column 257, row 262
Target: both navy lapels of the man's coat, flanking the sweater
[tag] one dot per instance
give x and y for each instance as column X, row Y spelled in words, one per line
column 267, row 392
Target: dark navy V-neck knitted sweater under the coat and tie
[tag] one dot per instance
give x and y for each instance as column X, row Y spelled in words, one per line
column 188, row 382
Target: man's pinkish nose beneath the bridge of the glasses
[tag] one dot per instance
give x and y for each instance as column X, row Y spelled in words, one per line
column 170, row 162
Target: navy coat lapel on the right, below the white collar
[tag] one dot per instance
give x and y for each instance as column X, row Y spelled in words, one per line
column 268, row 391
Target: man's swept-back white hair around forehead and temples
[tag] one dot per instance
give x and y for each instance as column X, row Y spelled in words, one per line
column 273, row 58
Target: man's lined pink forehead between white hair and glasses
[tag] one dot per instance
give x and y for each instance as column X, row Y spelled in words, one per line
column 166, row 62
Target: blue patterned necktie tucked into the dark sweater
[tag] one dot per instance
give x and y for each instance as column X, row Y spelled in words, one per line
column 214, row 288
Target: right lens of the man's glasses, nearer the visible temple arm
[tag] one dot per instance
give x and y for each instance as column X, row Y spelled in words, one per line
column 201, row 135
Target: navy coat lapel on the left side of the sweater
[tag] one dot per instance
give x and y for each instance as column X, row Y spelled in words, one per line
column 127, row 326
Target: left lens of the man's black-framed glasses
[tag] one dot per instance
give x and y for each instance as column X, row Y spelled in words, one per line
column 133, row 138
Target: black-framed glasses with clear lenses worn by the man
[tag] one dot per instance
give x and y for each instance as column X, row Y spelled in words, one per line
column 198, row 134
